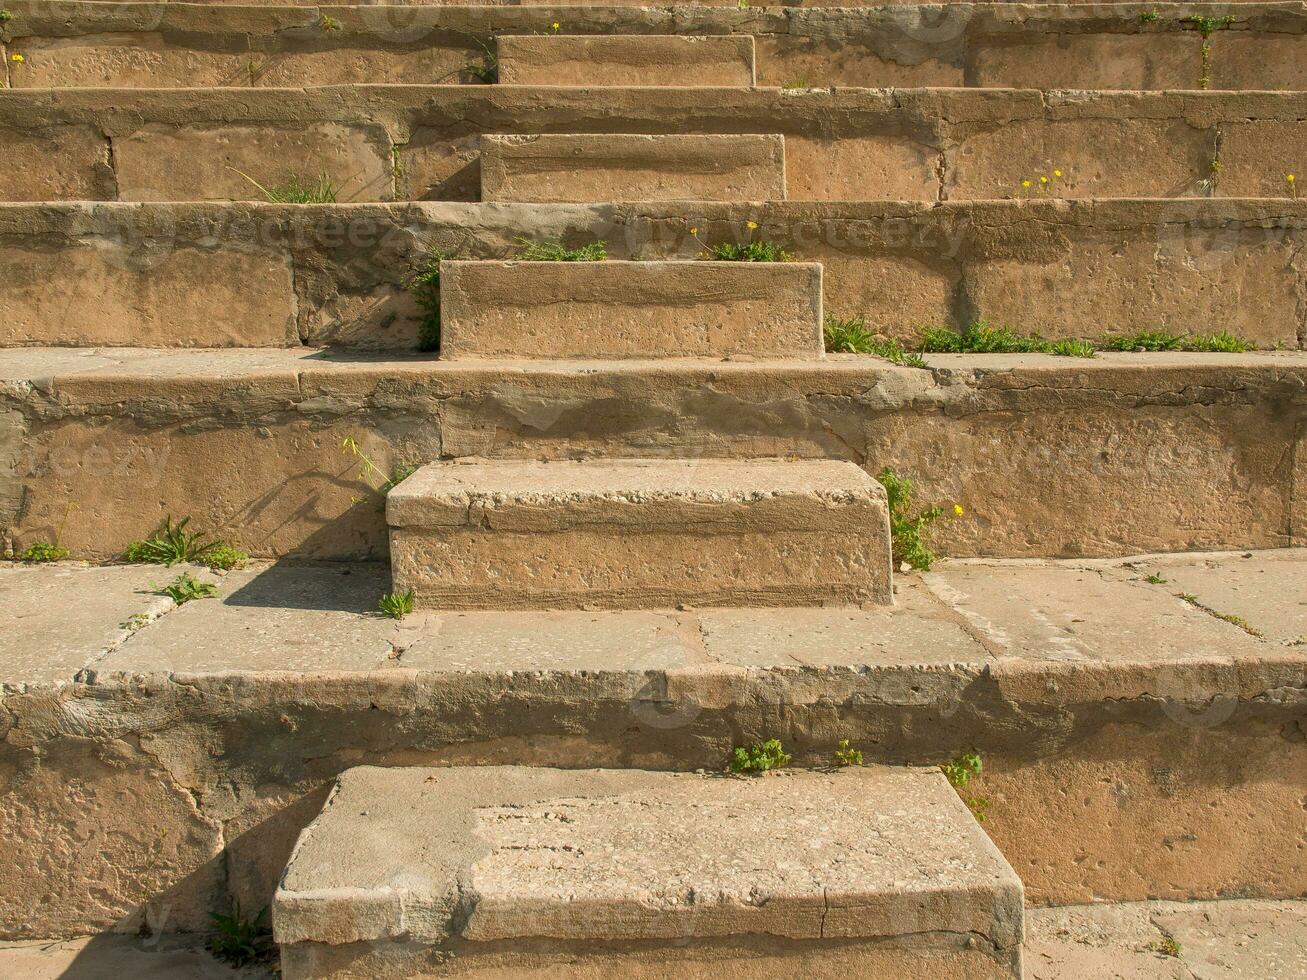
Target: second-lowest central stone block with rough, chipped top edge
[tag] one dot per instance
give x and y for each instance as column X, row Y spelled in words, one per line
column 625, row 534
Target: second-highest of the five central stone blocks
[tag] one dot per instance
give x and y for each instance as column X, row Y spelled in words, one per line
column 599, row 168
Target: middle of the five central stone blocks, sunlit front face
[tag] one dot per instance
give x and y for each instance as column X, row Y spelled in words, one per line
column 631, row 310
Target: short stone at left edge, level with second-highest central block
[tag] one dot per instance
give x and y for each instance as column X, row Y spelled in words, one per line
column 71, row 163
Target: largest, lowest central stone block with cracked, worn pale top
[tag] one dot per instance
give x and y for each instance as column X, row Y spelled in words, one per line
column 525, row 872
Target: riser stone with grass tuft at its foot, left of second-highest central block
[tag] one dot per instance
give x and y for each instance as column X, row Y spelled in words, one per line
column 160, row 163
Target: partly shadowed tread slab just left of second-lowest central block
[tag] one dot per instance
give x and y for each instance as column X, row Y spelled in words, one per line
column 270, row 617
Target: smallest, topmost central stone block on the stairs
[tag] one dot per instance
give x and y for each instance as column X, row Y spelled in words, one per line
column 627, row 59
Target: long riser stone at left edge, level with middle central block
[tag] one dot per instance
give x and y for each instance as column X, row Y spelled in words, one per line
column 118, row 293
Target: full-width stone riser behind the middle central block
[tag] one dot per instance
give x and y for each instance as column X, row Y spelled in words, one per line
column 342, row 274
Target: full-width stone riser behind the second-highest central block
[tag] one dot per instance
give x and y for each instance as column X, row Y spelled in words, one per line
column 842, row 146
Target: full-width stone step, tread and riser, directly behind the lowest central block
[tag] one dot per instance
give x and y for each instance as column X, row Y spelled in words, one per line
column 1087, row 671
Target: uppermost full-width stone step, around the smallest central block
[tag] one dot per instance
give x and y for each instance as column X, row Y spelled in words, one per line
column 1004, row 45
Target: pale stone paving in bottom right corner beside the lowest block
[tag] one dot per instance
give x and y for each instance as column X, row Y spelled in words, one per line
column 1217, row 940
